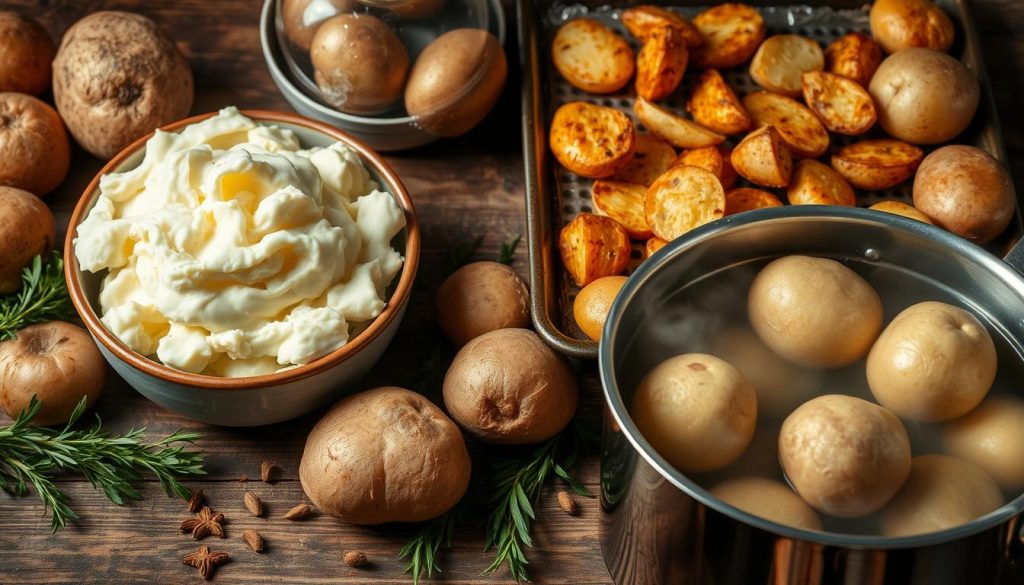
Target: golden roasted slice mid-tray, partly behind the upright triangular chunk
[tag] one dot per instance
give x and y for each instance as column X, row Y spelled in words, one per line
column 798, row 126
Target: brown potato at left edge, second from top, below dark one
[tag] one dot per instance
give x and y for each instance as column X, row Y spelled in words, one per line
column 34, row 150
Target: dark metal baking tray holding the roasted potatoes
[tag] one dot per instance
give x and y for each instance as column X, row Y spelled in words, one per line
column 554, row 196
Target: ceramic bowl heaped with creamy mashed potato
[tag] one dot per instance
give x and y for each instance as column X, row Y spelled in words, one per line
column 243, row 268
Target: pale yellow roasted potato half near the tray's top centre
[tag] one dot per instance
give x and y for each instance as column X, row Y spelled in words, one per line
column 782, row 60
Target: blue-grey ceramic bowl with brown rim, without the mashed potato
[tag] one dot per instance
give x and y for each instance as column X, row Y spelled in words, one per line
column 258, row 400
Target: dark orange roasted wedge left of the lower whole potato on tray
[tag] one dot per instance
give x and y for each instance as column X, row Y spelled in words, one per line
column 877, row 164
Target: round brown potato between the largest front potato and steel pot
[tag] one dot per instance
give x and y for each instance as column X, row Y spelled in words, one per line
column 509, row 388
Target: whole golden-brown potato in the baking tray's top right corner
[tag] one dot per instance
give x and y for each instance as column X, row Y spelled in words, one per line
column 900, row 25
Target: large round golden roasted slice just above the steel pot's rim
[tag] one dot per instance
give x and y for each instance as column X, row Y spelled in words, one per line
column 684, row 199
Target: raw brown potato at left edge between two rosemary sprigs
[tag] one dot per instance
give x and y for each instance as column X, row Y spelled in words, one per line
column 58, row 363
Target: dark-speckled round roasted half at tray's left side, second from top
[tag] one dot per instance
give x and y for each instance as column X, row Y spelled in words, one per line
column 592, row 141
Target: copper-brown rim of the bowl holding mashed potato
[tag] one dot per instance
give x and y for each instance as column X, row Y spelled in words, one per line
column 379, row 324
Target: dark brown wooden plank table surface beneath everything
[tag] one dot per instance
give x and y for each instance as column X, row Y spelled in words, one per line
column 462, row 188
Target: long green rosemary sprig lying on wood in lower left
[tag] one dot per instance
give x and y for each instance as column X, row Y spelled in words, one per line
column 112, row 464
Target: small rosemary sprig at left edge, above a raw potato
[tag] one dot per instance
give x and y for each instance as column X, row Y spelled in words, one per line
column 44, row 298
